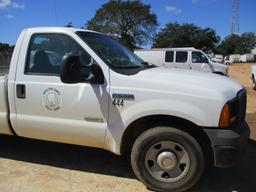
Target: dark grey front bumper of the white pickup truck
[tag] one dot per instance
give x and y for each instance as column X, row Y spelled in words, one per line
column 229, row 145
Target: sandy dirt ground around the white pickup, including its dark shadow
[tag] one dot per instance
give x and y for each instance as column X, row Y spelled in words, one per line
column 37, row 166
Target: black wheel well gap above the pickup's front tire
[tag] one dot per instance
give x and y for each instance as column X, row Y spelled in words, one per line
column 139, row 126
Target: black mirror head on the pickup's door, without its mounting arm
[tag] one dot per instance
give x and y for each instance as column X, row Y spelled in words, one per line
column 70, row 69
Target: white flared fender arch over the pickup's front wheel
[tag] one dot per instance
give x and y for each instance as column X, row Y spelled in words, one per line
column 182, row 109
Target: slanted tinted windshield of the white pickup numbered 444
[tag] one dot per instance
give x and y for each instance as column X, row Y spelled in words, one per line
column 112, row 52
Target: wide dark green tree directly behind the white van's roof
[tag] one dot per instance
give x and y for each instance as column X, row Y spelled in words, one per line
column 186, row 35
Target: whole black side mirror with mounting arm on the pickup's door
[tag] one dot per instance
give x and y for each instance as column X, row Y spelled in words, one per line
column 71, row 71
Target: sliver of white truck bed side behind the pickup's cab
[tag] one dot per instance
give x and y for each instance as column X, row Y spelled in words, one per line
column 4, row 112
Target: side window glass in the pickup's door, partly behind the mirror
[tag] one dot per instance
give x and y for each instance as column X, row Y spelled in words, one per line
column 46, row 51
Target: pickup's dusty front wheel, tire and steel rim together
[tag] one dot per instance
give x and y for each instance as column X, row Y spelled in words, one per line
column 167, row 159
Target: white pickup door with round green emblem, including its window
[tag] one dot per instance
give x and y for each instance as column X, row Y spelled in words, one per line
column 48, row 109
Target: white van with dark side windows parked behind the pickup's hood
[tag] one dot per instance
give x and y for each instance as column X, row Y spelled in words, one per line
column 182, row 58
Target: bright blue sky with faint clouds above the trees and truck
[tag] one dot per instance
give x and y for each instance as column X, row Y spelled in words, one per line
column 16, row 15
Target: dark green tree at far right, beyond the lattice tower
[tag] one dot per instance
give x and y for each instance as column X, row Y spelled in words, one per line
column 235, row 44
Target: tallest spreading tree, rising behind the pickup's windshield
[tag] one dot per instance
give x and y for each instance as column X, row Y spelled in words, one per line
column 130, row 22
